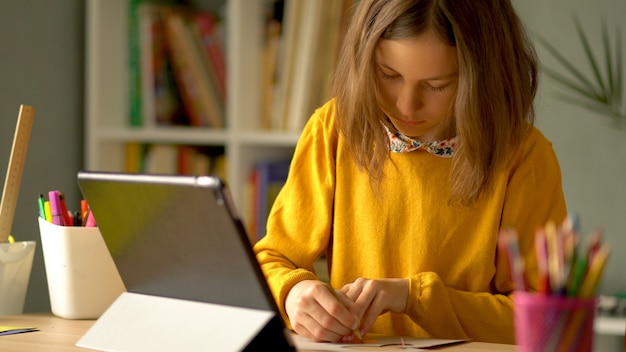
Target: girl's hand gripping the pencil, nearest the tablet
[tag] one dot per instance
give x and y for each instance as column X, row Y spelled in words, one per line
column 314, row 312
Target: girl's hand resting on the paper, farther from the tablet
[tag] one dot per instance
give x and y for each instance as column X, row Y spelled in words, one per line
column 376, row 297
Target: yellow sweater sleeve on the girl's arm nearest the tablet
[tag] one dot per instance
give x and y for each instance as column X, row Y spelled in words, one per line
column 298, row 228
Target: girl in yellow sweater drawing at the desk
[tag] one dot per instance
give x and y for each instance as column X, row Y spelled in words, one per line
column 406, row 176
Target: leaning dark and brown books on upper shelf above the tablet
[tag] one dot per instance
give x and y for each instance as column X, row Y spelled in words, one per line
column 177, row 67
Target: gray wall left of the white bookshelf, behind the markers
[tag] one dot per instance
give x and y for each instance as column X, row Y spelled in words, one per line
column 41, row 64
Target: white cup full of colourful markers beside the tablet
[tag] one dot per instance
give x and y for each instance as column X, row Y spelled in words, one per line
column 82, row 278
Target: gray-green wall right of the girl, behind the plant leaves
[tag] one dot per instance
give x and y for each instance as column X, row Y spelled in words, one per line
column 591, row 151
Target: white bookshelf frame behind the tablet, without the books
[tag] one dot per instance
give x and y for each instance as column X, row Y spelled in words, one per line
column 107, row 130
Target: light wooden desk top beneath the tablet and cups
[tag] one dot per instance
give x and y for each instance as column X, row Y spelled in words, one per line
column 60, row 335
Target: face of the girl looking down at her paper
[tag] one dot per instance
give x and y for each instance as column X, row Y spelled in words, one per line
column 417, row 81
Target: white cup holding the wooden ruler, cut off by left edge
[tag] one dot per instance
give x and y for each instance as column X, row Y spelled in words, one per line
column 16, row 261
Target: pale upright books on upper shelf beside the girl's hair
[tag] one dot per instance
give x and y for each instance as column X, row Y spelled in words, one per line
column 303, row 38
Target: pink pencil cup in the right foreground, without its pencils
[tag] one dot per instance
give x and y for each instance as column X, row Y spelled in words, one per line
column 553, row 323
